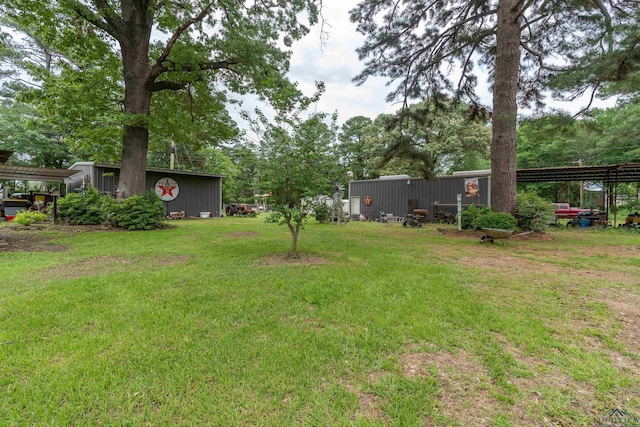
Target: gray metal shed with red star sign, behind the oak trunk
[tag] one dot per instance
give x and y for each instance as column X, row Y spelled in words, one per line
column 198, row 192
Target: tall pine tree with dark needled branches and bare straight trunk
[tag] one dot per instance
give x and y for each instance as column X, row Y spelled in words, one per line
column 436, row 47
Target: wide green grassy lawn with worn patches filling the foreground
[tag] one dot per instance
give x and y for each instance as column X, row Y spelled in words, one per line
column 205, row 324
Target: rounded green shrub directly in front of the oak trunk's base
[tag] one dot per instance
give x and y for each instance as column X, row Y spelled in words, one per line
column 144, row 212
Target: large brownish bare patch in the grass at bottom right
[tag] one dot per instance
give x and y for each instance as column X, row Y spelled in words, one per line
column 470, row 396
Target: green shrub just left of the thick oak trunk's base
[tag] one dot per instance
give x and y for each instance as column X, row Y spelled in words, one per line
column 87, row 208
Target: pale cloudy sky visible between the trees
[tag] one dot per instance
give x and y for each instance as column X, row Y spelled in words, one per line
column 336, row 63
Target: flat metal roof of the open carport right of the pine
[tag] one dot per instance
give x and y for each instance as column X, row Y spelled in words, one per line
column 629, row 172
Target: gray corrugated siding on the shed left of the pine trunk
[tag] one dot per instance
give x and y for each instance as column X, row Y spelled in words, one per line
column 395, row 196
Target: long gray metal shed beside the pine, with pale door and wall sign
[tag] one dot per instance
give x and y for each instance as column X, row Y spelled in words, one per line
column 399, row 195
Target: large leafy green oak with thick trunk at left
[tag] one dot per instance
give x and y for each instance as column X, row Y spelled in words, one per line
column 119, row 54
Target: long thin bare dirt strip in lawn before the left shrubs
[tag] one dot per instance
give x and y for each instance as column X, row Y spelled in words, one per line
column 97, row 266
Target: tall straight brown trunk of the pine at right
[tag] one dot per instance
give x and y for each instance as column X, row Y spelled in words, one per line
column 505, row 108
